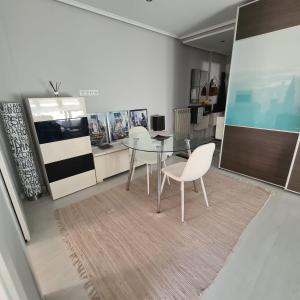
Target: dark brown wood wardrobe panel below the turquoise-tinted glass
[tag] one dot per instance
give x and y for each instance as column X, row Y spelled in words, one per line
column 263, row 154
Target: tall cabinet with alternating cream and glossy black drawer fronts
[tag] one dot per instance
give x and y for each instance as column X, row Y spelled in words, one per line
column 62, row 135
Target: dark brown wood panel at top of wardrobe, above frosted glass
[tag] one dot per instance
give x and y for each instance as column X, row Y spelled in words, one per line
column 266, row 16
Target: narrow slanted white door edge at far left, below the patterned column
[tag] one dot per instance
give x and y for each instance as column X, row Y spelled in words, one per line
column 16, row 202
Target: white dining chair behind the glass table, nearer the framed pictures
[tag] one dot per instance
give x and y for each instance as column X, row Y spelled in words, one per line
column 145, row 157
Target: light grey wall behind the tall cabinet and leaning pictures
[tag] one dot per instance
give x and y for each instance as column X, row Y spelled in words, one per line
column 131, row 67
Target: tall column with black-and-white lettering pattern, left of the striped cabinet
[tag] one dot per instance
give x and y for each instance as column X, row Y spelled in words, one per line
column 15, row 128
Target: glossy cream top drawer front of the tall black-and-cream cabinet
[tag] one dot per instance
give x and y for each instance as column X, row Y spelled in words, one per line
column 45, row 109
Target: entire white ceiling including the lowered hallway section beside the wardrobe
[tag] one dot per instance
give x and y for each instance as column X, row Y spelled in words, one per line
column 204, row 24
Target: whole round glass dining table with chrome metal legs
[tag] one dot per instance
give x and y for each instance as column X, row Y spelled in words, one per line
column 162, row 145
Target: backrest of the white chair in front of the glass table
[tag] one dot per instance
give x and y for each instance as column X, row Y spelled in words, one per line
column 199, row 162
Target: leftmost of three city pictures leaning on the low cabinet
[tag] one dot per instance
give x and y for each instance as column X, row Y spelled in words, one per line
column 98, row 129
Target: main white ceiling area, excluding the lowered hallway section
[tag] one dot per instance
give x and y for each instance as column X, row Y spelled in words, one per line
column 173, row 17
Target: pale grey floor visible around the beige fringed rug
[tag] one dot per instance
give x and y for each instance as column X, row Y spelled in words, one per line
column 265, row 264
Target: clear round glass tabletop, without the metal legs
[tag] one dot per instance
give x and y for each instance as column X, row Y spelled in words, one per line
column 170, row 143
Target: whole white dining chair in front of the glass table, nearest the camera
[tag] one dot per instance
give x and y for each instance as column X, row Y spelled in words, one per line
column 197, row 165
